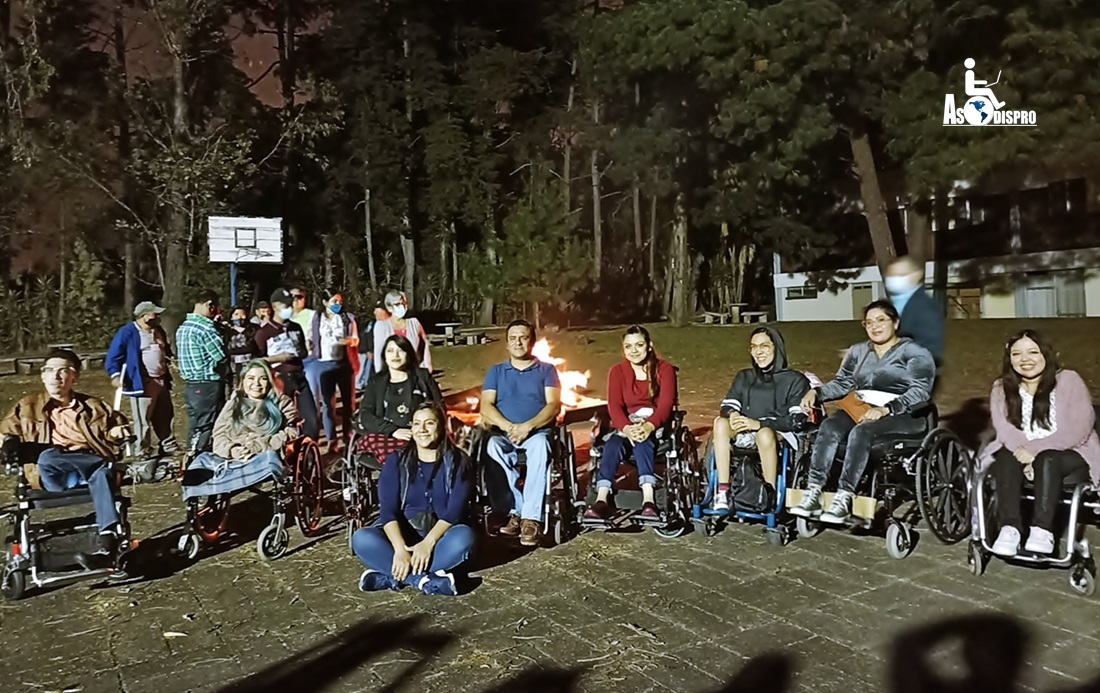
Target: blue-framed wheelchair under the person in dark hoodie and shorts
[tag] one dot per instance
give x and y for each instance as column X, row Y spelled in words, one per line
column 777, row 530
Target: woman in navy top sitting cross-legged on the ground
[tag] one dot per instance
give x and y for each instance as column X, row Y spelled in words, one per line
column 421, row 537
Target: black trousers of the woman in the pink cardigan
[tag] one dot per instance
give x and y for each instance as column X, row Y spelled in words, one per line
column 1053, row 469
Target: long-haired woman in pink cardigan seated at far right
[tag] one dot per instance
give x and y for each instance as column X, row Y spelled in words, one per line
column 1044, row 423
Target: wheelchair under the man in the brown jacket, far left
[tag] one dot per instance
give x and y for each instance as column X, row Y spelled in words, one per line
column 45, row 552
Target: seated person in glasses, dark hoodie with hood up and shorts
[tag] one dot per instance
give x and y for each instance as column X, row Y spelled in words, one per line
column 763, row 401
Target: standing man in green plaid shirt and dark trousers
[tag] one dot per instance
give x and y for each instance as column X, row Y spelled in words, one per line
column 203, row 368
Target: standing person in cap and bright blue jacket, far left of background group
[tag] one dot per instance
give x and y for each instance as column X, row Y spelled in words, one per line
column 138, row 362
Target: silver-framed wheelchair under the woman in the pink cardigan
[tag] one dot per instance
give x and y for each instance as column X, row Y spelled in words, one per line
column 1080, row 505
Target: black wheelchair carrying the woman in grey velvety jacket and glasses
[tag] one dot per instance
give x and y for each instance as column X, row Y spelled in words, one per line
column 910, row 478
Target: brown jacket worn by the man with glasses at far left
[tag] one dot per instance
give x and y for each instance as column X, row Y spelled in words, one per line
column 29, row 422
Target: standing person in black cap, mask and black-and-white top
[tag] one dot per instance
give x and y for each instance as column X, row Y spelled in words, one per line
column 283, row 345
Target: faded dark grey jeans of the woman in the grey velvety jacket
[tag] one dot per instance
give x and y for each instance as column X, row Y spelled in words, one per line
column 841, row 427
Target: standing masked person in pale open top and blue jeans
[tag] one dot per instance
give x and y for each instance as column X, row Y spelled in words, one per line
column 335, row 353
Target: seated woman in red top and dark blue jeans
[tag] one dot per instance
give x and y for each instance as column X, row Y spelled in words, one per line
column 642, row 392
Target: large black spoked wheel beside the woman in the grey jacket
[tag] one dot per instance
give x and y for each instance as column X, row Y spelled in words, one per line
column 942, row 488
